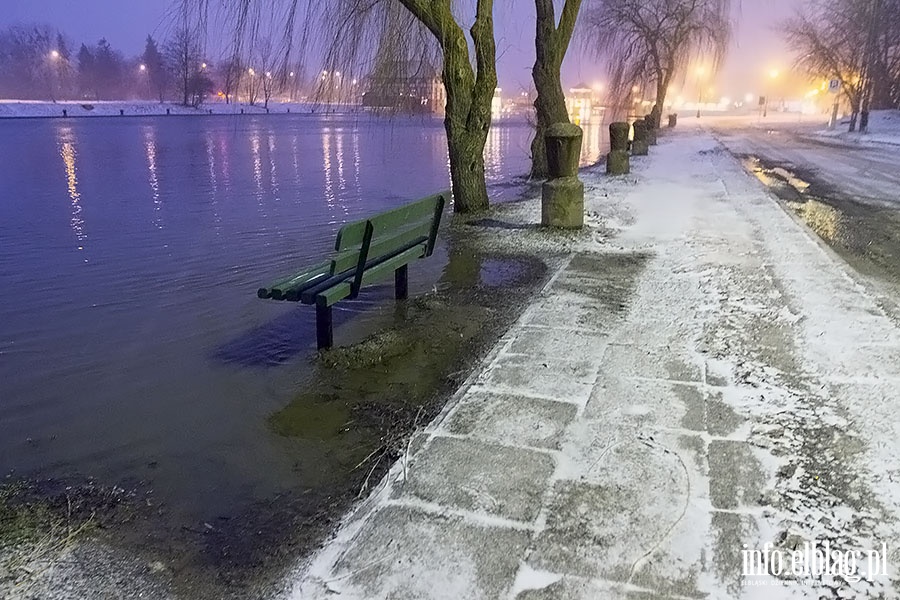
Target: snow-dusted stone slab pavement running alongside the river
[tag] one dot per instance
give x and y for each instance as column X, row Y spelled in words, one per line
column 710, row 381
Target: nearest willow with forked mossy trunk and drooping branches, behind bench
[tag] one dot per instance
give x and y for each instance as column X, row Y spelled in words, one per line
column 352, row 31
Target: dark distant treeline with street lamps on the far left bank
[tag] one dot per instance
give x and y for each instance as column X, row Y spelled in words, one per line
column 39, row 62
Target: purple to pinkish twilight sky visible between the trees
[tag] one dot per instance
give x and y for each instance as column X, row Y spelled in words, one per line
column 756, row 47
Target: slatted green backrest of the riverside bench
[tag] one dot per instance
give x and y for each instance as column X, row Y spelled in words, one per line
column 387, row 233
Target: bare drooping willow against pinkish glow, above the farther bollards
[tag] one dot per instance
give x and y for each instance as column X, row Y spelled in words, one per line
column 653, row 40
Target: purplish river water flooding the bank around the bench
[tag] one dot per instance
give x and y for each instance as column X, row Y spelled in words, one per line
column 132, row 344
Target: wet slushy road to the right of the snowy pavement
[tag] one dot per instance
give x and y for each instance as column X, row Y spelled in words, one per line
column 849, row 195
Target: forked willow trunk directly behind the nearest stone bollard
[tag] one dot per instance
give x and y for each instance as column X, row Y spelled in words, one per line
column 551, row 43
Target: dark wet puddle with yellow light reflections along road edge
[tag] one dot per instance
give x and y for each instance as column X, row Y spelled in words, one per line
column 866, row 236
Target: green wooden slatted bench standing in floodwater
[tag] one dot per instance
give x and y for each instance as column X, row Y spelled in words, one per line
column 365, row 252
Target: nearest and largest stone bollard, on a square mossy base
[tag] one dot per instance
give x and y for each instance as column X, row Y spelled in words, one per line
column 562, row 196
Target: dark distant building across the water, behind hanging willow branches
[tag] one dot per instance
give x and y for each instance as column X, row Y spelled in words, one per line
column 410, row 89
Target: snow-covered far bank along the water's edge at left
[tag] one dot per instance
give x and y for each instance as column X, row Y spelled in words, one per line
column 36, row 109
